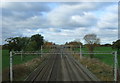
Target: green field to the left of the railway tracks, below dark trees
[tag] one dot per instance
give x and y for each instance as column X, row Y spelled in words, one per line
column 16, row 58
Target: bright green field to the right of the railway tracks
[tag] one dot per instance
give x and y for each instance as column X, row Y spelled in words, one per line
column 106, row 58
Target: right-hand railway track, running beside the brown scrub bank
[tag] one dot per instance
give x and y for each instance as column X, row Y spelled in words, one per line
column 79, row 72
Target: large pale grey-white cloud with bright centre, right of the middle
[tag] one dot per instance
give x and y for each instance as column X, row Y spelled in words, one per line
column 67, row 17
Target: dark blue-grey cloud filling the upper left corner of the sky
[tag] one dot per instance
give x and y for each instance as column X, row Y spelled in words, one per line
column 23, row 10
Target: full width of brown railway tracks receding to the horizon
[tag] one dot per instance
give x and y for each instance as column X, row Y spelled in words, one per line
column 61, row 68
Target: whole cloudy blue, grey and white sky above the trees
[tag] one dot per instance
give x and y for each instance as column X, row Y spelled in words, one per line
column 60, row 22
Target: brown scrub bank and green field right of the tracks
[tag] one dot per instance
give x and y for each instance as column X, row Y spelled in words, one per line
column 101, row 65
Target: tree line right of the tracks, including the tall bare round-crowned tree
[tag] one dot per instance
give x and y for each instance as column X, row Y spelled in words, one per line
column 92, row 41
